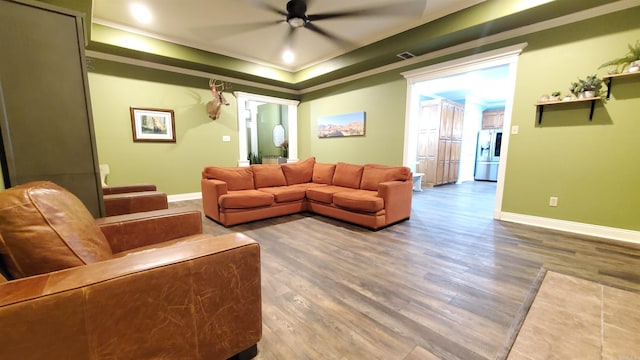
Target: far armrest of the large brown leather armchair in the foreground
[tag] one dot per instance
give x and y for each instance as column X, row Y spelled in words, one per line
column 126, row 232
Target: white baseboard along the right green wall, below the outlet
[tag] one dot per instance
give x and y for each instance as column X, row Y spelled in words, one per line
column 625, row 235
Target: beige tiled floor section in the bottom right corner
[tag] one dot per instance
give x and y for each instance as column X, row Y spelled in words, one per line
column 565, row 317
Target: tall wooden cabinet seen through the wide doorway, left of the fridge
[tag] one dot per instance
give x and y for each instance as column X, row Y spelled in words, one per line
column 439, row 141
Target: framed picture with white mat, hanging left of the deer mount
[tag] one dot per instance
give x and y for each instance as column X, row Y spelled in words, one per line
column 153, row 125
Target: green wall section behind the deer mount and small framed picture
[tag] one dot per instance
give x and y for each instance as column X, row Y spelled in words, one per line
column 174, row 167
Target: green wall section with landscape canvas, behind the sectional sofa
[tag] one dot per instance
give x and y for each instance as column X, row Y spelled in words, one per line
column 384, row 105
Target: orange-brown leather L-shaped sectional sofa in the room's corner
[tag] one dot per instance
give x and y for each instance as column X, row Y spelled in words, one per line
column 373, row 196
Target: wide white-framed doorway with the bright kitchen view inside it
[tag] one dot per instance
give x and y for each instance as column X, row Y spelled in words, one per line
column 448, row 152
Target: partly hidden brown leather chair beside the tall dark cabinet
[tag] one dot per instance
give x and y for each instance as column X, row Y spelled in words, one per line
column 127, row 199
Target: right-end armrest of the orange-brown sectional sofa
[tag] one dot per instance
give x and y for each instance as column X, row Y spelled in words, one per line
column 397, row 197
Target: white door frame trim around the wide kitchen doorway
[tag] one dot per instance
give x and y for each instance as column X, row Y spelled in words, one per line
column 503, row 56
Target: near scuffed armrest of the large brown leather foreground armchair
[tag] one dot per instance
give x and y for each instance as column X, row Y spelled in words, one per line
column 197, row 300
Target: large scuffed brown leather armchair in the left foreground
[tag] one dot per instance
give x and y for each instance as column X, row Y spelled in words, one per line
column 140, row 286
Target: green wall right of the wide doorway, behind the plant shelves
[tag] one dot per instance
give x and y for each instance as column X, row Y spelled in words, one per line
column 592, row 167
